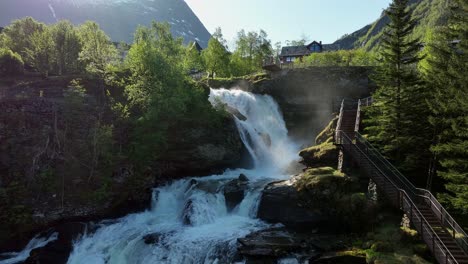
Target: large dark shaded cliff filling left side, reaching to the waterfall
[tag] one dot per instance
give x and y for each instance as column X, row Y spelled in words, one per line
column 49, row 174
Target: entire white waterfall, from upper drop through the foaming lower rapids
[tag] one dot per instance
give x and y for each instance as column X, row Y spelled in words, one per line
column 198, row 220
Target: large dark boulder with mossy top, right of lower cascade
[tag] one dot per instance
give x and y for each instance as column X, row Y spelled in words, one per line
column 319, row 198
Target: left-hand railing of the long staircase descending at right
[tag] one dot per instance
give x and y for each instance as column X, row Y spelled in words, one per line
column 398, row 197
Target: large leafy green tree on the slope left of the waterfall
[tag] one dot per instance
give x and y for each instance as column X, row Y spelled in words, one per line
column 160, row 93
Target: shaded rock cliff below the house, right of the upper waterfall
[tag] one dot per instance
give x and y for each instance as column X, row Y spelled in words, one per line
column 309, row 97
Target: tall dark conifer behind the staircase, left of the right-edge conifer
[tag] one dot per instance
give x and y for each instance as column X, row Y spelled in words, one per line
column 397, row 122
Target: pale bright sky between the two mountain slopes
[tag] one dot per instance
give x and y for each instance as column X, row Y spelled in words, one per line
column 320, row 20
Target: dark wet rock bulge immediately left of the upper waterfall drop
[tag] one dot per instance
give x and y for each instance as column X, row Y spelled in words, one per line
column 198, row 149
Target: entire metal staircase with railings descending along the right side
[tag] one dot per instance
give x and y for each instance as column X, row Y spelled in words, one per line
column 444, row 237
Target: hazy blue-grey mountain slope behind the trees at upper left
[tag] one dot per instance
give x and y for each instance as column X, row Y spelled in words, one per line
column 118, row 18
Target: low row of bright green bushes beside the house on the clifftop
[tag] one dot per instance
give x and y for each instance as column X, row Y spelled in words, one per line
column 357, row 57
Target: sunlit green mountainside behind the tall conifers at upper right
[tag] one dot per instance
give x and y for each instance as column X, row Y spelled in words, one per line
column 428, row 14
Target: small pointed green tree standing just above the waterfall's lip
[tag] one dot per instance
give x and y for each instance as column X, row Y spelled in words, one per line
column 216, row 56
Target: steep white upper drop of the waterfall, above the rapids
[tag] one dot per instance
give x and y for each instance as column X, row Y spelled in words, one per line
column 263, row 131
